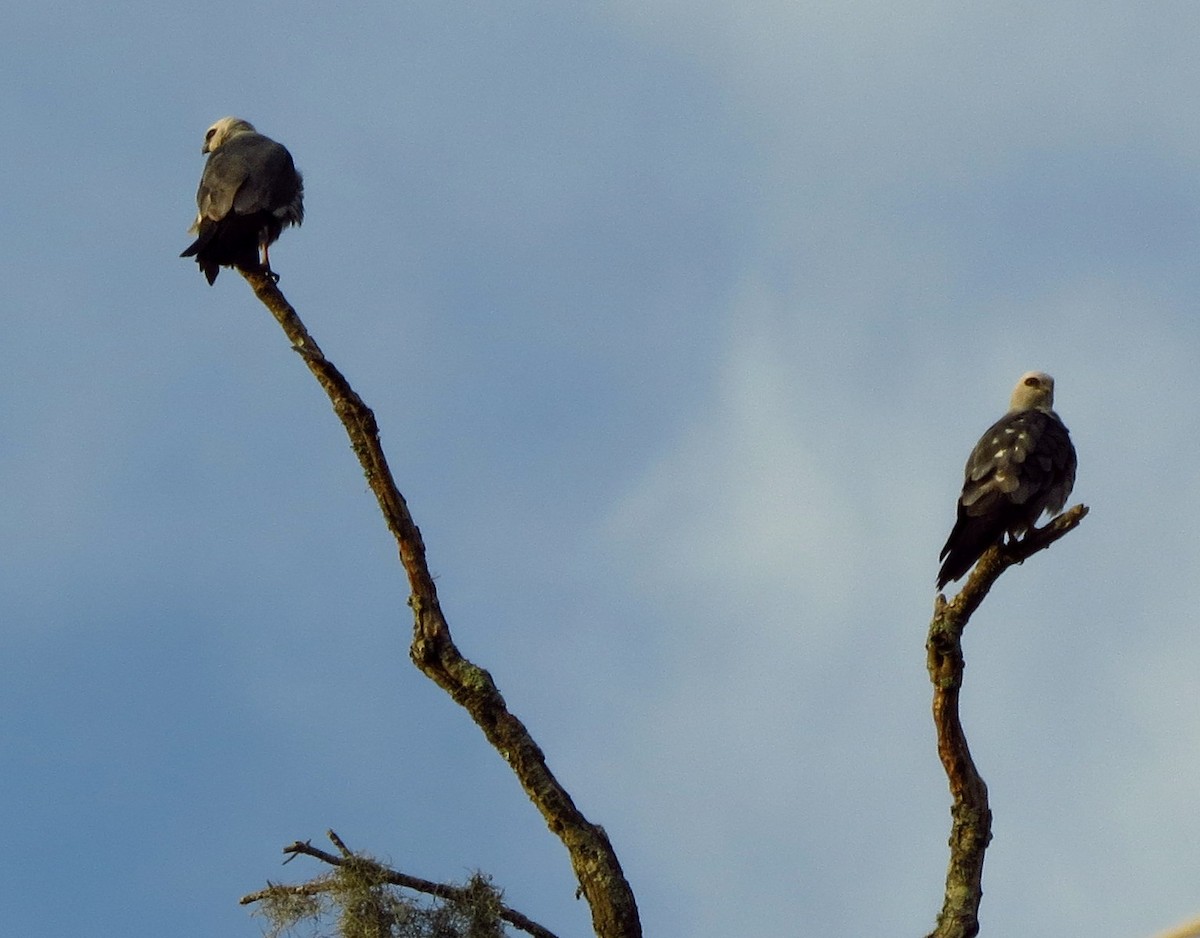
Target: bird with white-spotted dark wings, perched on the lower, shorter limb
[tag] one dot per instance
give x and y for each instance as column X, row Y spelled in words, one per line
column 1022, row 467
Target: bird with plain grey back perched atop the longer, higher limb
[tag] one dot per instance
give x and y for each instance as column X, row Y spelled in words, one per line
column 250, row 193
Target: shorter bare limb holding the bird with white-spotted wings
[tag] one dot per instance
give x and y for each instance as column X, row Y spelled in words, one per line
column 971, row 816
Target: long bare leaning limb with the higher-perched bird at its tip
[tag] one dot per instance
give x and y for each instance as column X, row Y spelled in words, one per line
column 597, row 868
